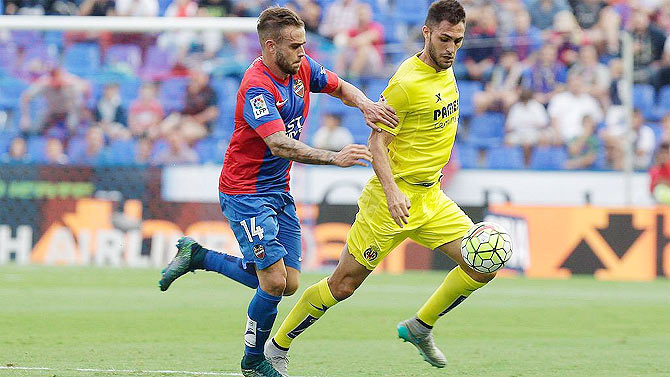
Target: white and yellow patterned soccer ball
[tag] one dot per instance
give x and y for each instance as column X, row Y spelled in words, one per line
column 486, row 247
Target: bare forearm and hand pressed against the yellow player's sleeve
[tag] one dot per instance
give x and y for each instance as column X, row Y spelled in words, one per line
column 373, row 112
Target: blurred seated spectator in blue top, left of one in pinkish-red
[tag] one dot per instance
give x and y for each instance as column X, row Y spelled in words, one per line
column 109, row 113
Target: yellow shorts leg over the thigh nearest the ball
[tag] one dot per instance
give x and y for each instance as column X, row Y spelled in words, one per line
column 447, row 224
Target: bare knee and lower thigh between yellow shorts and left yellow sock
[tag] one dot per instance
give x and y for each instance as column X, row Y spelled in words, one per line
column 348, row 275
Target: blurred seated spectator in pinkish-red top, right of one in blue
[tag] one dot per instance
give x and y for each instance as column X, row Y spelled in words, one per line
column 146, row 113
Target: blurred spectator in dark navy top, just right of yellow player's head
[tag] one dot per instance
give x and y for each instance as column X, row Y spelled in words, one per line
column 481, row 53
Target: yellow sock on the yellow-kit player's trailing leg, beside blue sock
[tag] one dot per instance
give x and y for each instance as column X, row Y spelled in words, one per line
column 311, row 306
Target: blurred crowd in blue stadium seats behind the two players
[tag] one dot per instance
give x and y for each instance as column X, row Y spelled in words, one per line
column 552, row 69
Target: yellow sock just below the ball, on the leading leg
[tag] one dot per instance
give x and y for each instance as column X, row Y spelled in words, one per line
column 455, row 288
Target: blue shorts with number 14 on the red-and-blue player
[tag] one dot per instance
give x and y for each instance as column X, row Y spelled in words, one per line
column 266, row 227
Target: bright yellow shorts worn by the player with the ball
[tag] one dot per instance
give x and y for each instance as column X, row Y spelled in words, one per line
column 434, row 220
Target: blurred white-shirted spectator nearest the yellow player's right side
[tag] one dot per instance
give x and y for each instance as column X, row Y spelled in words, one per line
column 527, row 124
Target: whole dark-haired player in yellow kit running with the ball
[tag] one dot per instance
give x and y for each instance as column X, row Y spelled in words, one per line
column 404, row 198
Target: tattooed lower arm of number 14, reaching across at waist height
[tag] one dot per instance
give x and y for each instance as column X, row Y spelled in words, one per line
column 295, row 150
